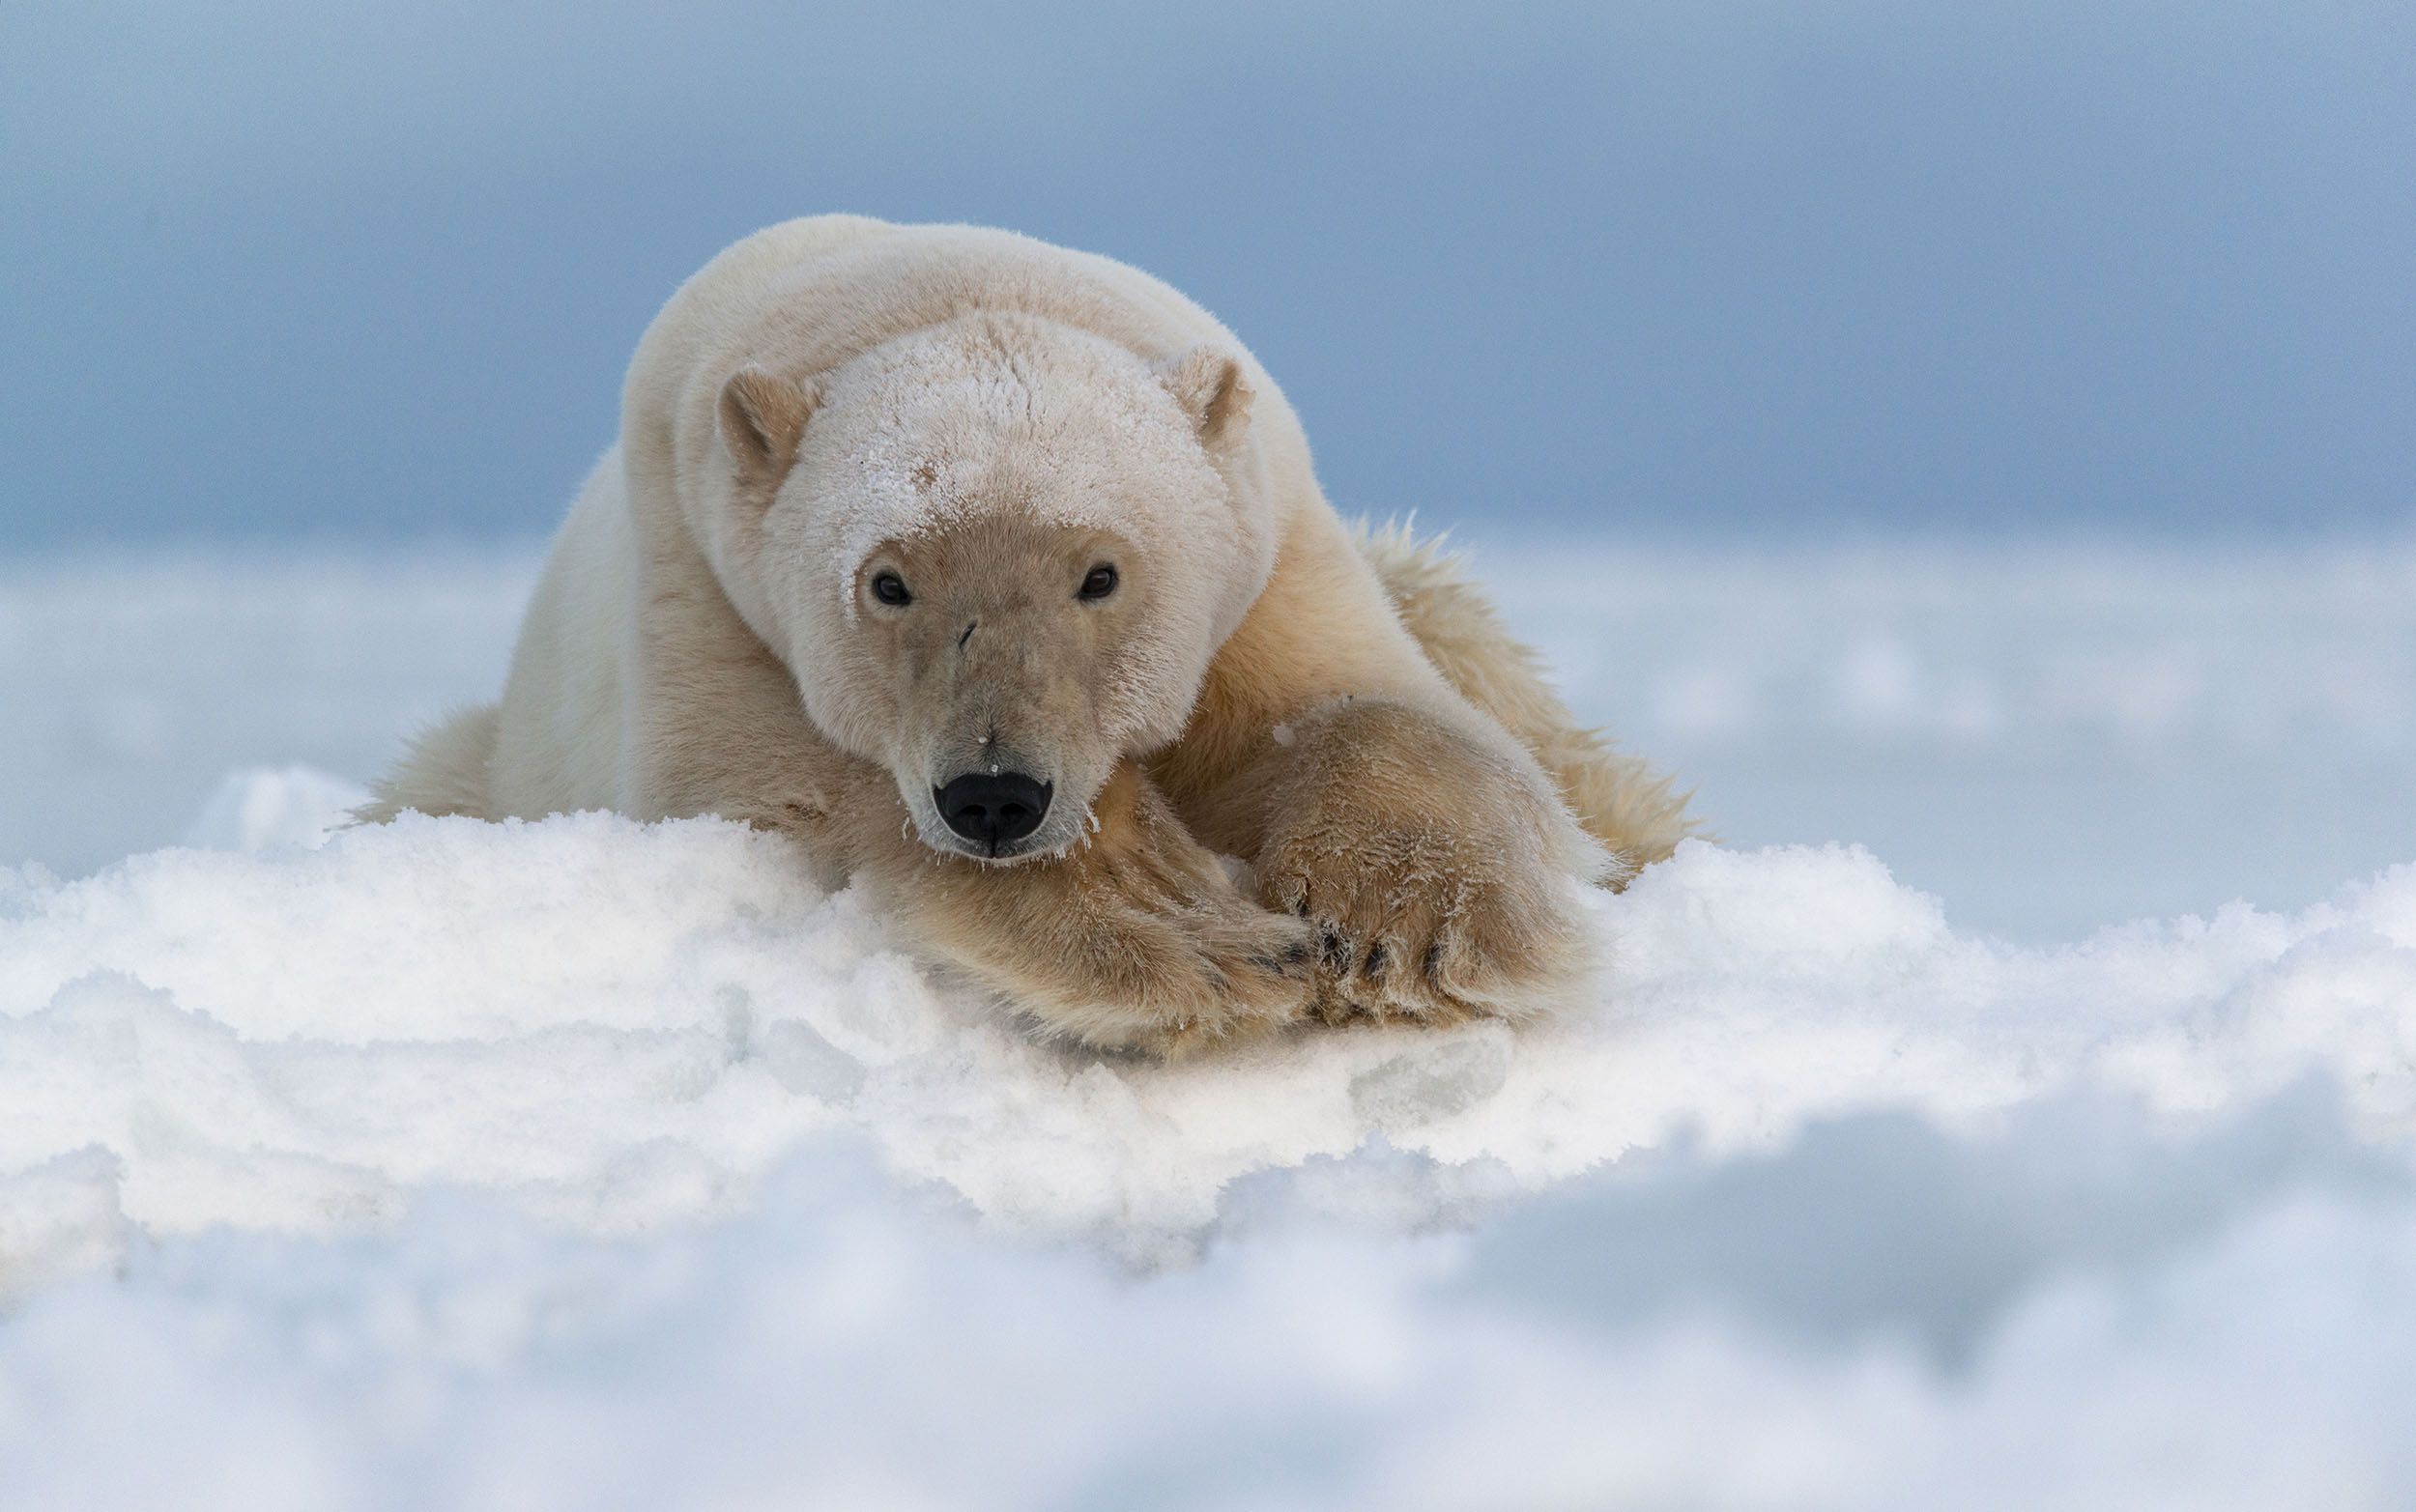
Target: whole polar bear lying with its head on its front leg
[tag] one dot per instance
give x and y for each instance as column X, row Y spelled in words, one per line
column 999, row 578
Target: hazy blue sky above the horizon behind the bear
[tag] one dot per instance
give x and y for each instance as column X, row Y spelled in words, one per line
column 1649, row 267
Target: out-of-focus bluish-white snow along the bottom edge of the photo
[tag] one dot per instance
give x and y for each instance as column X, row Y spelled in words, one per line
column 1859, row 1322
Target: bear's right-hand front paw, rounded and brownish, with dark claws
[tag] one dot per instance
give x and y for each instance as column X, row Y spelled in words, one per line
column 1434, row 873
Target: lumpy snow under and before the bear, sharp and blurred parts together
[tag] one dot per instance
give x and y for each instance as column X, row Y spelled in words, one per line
column 610, row 1165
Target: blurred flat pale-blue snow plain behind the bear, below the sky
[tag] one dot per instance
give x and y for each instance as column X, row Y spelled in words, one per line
column 2050, row 740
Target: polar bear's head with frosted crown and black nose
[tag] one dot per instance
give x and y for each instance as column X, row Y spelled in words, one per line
column 999, row 557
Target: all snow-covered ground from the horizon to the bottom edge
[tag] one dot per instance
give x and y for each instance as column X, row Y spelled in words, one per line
column 593, row 1165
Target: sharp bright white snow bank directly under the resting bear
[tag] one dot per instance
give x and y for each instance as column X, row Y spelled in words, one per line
column 617, row 1025
